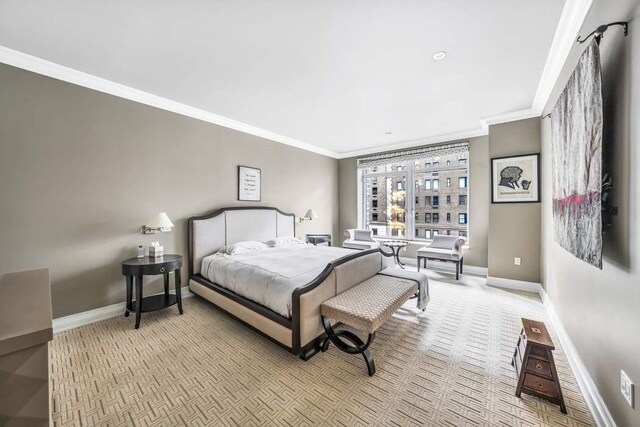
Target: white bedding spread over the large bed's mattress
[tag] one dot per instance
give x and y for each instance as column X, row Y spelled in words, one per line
column 270, row 276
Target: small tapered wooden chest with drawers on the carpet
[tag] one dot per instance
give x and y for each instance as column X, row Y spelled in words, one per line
column 533, row 360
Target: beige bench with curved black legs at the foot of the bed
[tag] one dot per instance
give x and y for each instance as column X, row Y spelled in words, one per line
column 364, row 307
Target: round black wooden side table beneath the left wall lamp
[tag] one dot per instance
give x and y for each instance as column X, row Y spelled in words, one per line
column 136, row 268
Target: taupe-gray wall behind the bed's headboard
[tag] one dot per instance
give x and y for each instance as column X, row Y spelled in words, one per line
column 81, row 171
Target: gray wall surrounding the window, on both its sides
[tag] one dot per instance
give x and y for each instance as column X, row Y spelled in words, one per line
column 476, row 255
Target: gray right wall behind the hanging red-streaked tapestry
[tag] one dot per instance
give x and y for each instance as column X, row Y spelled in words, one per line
column 600, row 309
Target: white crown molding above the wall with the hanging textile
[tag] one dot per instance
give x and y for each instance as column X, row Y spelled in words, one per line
column 571, row 20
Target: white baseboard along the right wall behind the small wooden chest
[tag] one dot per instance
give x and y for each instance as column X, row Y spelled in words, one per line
column 592, row 396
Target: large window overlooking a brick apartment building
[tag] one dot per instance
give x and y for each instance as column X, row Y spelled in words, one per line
column 394, row 189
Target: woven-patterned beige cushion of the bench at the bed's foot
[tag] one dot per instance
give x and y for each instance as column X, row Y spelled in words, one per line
column 369, row 304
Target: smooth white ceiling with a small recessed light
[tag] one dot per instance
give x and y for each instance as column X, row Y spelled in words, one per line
column 336, row 76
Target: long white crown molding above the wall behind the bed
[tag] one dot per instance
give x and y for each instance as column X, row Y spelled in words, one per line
column 50, row 69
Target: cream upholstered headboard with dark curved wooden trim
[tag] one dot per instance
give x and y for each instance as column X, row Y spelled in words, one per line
column 226, row 226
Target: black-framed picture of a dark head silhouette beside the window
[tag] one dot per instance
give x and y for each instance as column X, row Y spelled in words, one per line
column 515, row 179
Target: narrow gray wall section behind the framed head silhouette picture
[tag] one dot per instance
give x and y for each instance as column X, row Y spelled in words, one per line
column 514, row 228
